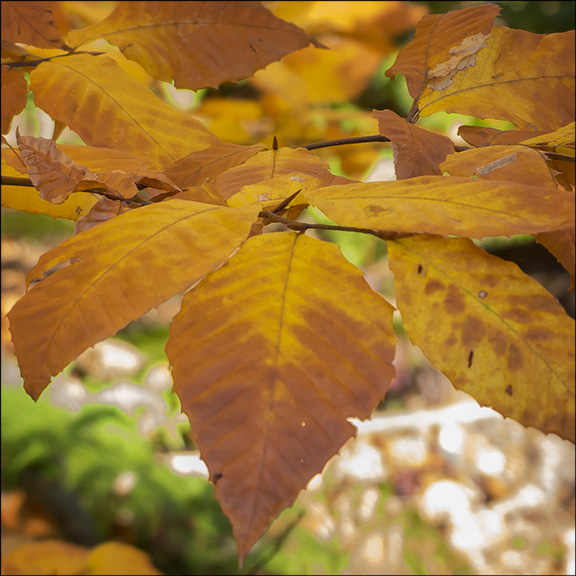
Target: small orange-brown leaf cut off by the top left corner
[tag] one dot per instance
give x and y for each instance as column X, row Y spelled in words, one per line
column 31, row 23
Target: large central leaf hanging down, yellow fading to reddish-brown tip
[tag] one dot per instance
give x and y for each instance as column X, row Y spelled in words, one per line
column 271, row 354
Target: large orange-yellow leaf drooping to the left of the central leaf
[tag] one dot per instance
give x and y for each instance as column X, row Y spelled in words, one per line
column 110, row 275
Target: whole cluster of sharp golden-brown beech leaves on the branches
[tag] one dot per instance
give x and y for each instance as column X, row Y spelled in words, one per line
column 280, row 340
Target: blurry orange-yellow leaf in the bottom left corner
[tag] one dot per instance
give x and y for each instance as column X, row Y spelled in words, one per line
column 45, row 558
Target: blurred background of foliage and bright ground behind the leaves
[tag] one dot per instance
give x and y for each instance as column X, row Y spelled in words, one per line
column 434, row 484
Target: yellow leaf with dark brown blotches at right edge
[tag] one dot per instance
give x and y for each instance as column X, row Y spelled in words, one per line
column 503, row 338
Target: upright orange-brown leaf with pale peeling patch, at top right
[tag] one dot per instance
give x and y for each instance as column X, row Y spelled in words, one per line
column 442, row 45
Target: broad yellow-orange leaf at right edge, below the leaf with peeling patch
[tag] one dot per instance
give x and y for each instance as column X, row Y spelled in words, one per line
column 512, row 79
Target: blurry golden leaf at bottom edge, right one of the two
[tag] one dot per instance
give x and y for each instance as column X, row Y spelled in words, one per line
column 119, row 559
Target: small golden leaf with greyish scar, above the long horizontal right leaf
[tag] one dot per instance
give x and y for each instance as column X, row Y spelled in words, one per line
column 518, row 164
